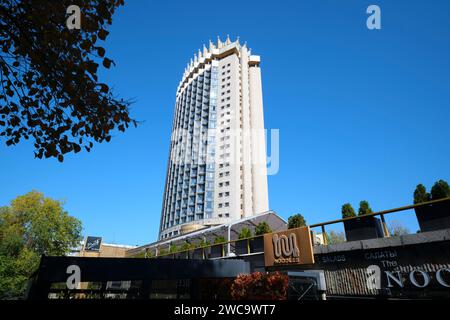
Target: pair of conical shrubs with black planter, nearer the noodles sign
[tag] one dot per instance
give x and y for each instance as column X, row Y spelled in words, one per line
column 363, row 227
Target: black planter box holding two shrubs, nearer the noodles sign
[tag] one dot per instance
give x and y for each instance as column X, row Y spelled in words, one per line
column 363, row 228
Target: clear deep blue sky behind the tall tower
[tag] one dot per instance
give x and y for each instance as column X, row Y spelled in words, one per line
column 362, row 114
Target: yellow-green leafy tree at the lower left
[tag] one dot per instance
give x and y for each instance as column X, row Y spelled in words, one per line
column 31, row 226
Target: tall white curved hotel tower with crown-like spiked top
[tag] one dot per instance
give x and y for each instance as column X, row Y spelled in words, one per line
column 217, row 165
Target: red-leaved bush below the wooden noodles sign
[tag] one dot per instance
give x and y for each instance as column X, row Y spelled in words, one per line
column 260, row 286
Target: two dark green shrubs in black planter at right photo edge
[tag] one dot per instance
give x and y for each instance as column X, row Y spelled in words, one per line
column 435, row 216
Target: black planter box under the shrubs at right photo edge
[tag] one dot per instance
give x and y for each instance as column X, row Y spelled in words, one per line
column 434, row 216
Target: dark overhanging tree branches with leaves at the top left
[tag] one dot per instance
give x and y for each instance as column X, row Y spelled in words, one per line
column 49, row 90
